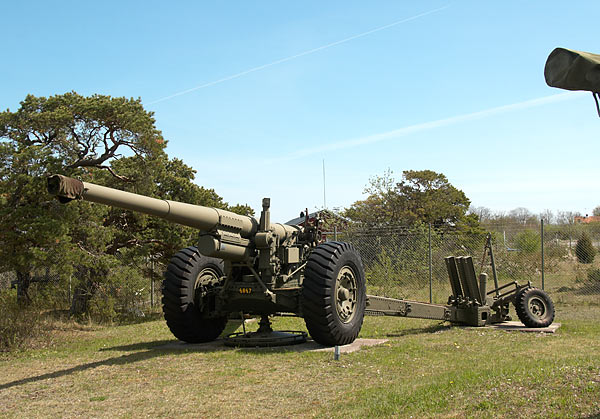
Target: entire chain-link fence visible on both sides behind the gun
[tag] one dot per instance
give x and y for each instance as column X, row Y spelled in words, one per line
column 400, row 262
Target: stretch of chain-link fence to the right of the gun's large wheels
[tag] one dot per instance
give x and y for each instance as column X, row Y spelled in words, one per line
column 409, row 262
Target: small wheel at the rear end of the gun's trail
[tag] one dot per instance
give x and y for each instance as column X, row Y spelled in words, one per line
column 534, row 307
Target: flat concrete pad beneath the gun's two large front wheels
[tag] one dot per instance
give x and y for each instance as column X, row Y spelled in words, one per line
column 309, row 345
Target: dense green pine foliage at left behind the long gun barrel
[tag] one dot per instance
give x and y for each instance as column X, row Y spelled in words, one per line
column 86, row 137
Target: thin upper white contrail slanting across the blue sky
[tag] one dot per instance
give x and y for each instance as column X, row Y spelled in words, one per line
column 292, row 57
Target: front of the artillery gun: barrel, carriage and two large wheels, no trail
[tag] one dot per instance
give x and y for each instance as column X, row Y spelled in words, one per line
column 241, row 264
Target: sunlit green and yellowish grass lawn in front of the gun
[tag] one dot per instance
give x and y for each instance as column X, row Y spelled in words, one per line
column 426, row 369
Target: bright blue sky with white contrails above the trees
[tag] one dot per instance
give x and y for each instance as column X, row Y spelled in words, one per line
column 256, row 95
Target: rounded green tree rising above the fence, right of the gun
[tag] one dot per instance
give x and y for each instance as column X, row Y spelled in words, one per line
column 420, row 197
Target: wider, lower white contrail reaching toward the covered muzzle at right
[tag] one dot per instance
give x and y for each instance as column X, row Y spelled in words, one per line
column 411, row 129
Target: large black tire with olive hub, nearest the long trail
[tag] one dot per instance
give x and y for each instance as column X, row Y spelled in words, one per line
column 334, row 294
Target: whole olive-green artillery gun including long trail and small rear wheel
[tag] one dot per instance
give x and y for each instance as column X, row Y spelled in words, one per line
column 244, row 265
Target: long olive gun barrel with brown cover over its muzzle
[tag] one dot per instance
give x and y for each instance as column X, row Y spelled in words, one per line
column 196, row 216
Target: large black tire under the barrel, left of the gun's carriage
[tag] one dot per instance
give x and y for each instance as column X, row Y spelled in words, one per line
column 186, row 303
